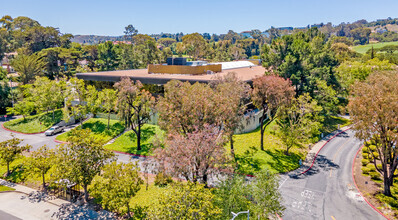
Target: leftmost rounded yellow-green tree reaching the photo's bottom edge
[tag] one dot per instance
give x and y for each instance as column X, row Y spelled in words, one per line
column 116, row 185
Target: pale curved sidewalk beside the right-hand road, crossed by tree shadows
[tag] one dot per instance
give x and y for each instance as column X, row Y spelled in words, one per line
column 309, row 160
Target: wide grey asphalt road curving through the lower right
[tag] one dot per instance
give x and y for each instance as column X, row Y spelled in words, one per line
column 327, row 190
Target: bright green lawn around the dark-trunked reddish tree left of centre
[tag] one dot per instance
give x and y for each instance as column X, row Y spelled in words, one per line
column 128, row 141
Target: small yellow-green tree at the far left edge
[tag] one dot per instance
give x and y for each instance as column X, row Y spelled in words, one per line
column 10, row 150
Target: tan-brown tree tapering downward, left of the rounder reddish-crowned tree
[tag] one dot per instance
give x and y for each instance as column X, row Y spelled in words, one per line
column 232, row 96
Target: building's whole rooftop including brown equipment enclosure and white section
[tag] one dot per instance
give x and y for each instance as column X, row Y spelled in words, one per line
column 180, row 69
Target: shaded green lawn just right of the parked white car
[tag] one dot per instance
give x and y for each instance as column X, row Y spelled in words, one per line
column 98, row 127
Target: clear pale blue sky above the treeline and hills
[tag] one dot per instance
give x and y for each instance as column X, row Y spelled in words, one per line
column 100, row 17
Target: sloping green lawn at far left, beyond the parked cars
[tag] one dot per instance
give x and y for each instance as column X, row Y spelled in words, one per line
column 35, row 123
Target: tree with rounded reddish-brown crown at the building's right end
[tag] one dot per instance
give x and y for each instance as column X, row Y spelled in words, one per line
column 269, row 93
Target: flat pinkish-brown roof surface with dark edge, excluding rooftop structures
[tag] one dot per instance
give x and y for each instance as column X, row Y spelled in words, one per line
column 246, row 74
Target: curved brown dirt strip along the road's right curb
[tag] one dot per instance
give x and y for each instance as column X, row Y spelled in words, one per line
column 370, row 189
